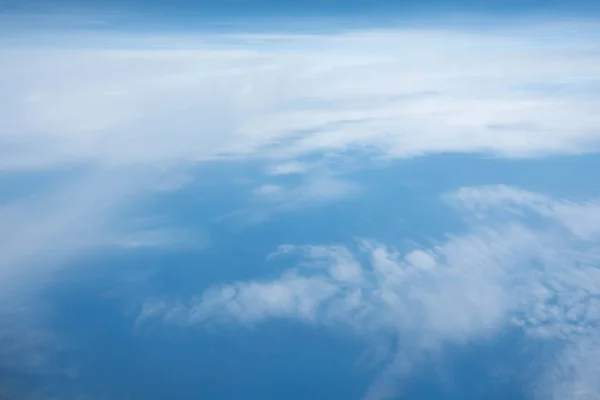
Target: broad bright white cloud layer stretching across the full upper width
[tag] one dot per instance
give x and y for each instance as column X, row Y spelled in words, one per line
column 514, row 92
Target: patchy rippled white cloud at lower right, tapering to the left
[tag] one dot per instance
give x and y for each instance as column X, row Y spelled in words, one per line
column 502, row 274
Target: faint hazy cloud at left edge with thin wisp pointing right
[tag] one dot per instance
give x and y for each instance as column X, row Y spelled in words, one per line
column 52, row 227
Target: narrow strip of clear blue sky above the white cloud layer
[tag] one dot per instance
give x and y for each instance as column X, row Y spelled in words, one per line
column 270, row 15
